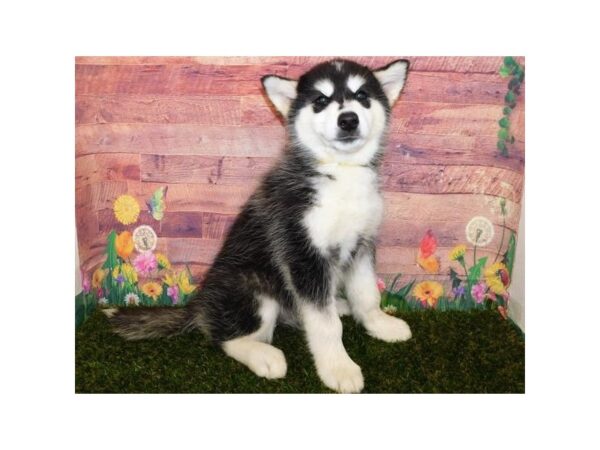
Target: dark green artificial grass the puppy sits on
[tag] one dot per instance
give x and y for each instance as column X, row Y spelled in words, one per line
column 452, row 352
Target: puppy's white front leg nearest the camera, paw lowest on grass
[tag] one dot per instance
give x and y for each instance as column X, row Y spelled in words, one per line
column 324, row 335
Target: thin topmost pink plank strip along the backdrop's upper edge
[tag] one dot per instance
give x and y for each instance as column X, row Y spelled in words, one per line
column 471, row 64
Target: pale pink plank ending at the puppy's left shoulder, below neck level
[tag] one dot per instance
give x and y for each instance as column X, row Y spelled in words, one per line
column 203, row 169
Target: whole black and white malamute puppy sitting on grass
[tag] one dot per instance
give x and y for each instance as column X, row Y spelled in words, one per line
column 307, row 233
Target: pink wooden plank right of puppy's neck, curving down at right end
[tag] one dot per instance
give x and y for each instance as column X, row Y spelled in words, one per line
column 447, row 179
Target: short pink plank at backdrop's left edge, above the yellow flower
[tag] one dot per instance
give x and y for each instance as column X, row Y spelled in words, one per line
column 99, row 167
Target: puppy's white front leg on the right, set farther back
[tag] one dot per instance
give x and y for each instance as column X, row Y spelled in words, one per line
column 364, row 298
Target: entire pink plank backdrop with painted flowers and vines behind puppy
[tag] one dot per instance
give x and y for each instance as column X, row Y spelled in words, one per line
column 168, row 149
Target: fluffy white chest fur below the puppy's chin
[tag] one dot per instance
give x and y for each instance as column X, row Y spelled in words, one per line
column 347, row 207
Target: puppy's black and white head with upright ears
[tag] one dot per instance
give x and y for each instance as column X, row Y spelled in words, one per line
column 339, row 109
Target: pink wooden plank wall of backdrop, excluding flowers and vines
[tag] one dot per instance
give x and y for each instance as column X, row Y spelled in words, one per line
column 203, row 126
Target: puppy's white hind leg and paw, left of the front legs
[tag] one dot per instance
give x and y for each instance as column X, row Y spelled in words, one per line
column 254, row 350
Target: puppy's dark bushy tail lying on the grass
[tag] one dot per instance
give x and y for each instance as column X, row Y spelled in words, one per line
column 148, row 323
